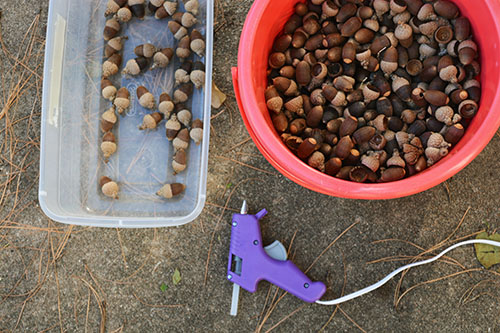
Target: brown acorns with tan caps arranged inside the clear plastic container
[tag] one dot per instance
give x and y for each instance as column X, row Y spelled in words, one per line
column 179, row 127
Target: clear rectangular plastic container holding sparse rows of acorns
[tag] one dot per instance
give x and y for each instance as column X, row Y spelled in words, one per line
column 71, row 163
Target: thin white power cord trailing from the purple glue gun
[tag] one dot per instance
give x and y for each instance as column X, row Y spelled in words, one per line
column 399, row 270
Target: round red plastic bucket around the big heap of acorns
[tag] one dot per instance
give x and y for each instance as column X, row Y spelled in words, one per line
column 265, row 21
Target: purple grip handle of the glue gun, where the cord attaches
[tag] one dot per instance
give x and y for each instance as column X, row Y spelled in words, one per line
column 289, row 277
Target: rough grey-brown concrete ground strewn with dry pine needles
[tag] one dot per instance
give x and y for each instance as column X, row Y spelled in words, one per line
column 60, row 278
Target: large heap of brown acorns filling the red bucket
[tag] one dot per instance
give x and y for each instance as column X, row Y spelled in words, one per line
column 373, row 90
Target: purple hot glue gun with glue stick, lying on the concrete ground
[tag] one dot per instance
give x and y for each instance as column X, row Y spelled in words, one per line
column 250, row 262
